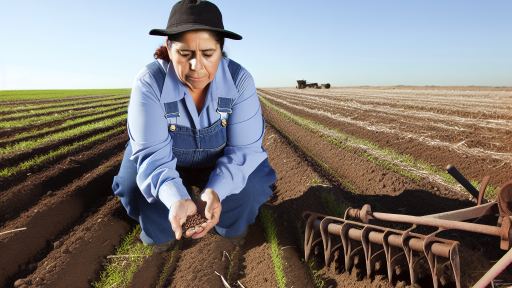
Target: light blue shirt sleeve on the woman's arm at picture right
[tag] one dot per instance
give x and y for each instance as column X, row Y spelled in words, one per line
column 243, row 152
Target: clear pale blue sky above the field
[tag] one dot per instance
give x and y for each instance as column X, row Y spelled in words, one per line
column 104, row 44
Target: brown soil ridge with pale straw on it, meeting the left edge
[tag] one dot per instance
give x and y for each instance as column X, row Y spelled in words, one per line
column 53, row 215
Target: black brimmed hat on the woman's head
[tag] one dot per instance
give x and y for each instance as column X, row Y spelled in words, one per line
column 189, row 15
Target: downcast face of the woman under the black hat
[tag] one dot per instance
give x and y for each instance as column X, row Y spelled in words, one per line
column 195, row 58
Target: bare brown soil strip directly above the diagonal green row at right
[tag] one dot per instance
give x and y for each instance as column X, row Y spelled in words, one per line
column 473, row 167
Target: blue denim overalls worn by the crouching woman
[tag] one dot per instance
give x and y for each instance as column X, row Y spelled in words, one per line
column 197, row 151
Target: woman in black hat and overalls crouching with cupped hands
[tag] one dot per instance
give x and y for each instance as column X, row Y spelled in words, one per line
column 194, row 119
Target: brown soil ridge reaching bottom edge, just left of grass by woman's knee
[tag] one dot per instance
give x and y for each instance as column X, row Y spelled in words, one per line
column 77, row 257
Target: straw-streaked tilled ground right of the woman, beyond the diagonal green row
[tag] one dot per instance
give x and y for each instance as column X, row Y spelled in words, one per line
column 472, row 132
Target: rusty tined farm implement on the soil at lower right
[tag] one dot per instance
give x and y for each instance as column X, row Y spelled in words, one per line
column 335, row 236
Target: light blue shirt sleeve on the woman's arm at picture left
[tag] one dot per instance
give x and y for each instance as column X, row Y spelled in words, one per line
column 157, row 177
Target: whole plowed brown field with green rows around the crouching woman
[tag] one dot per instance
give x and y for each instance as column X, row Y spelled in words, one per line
column 330, row 148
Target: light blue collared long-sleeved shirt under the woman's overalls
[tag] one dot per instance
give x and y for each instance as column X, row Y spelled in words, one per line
column 157, row 177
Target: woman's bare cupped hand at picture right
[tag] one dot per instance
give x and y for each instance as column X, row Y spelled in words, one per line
column 208, row 206
